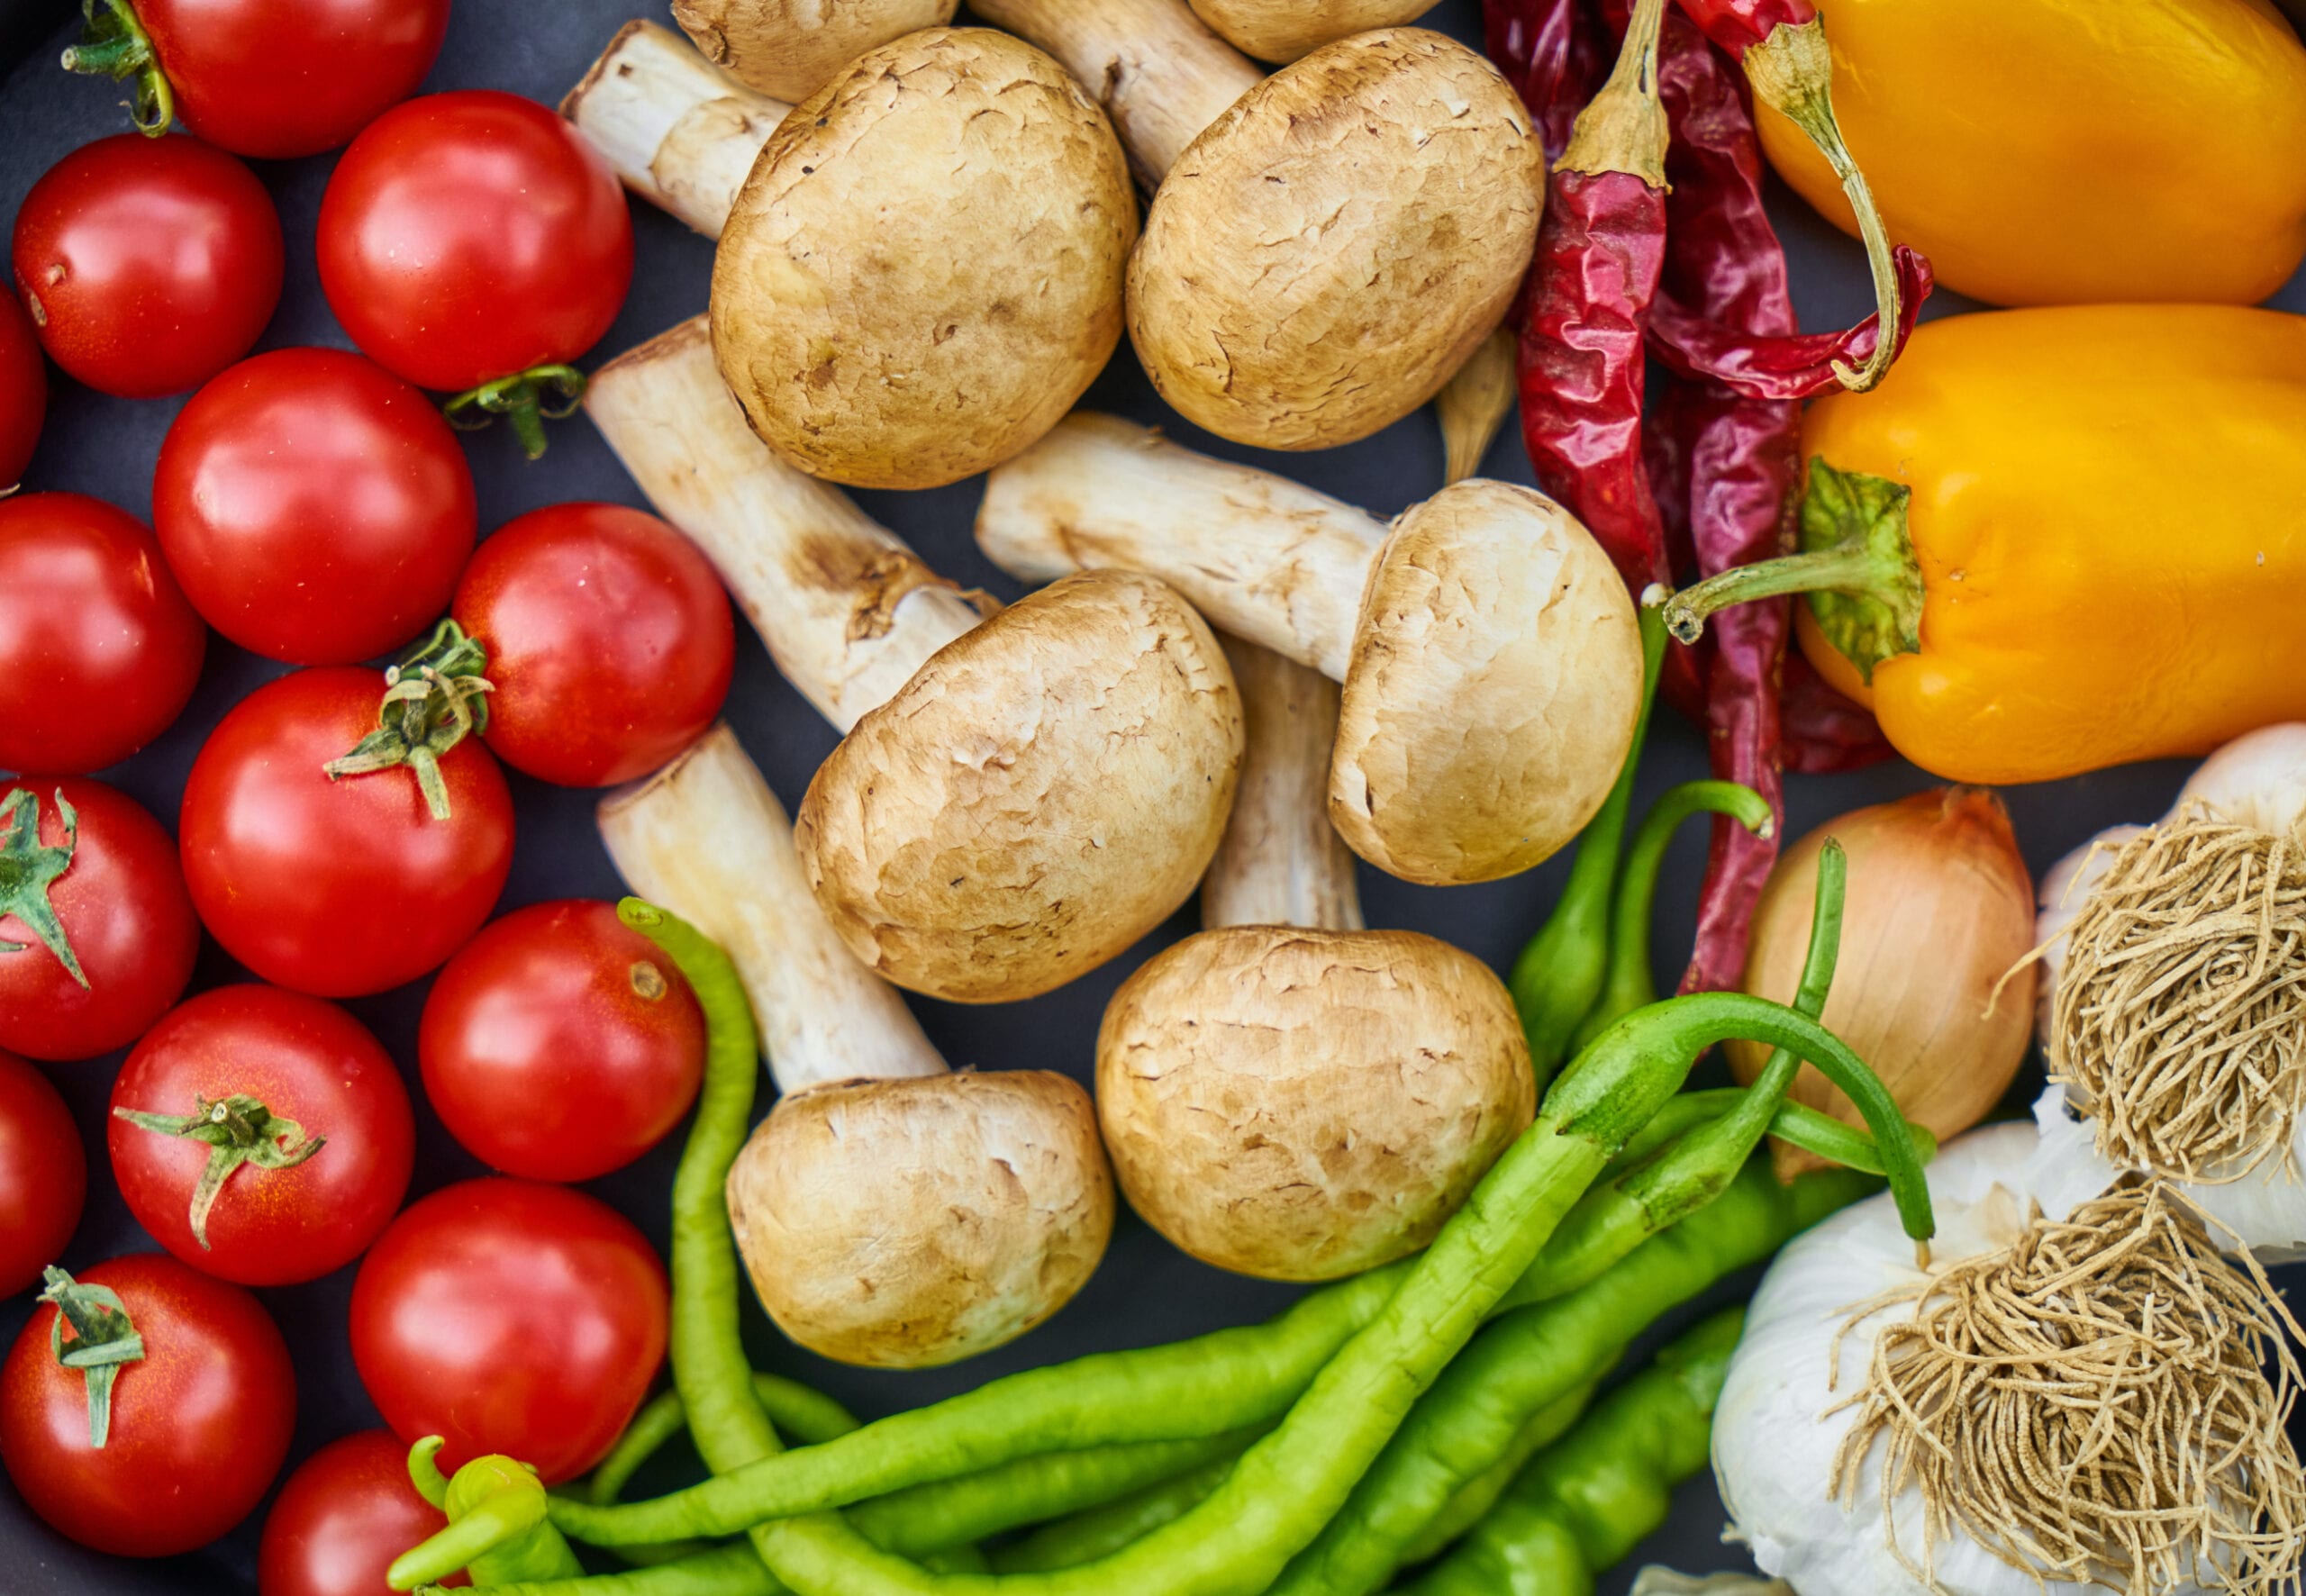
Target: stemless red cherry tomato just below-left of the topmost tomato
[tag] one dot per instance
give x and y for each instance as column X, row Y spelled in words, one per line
column 149, row 264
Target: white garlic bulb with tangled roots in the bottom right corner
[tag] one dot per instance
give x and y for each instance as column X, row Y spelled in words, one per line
column 1857, row 1364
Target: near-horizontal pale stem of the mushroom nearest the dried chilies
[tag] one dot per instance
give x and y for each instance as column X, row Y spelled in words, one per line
column 1263, row 557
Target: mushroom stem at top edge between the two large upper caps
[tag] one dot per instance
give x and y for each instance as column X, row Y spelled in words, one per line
column 1154, row 66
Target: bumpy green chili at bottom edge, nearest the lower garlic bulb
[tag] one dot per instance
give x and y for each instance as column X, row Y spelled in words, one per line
column 1597, row 1496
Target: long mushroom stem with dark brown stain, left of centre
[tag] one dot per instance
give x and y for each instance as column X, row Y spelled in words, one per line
column 847, row 612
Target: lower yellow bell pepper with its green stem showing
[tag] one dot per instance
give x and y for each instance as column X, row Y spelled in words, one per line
column 2058, row 539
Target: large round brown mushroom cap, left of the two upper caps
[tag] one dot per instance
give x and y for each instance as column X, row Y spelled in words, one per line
column 924, row 269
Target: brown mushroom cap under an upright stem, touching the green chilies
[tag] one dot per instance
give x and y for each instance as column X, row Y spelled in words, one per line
column 1304, row 1106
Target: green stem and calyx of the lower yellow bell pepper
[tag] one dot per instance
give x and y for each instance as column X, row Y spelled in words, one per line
column 1857, row 566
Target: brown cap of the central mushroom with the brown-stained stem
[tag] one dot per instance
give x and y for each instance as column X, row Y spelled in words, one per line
column 1039, row 797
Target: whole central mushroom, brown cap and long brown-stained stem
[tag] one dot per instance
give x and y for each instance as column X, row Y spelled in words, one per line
column 1018, row 799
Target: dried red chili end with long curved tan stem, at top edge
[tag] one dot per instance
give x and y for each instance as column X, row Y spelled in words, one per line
column 1784, row 50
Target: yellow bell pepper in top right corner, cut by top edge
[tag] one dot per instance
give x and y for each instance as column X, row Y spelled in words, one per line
column 2072, row 151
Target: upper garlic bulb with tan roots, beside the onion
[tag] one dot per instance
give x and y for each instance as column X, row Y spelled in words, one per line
column 2256, row 1175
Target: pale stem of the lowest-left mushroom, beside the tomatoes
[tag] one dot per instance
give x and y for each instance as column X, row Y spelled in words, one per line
column 711, row 843
